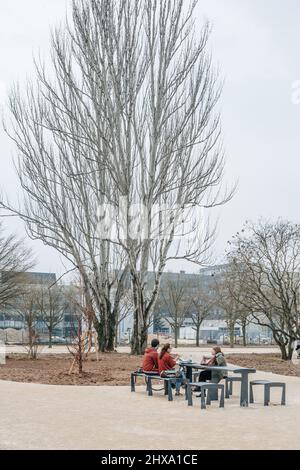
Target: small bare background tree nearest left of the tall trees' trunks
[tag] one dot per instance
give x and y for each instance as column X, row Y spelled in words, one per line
column 52, row 307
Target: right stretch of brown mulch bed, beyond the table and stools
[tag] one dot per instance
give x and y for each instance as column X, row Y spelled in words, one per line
column 266, row 363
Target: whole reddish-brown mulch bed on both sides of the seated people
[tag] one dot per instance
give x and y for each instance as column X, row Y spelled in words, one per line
column 114, row 368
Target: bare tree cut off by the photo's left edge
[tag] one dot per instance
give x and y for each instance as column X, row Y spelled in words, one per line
column 15, row 260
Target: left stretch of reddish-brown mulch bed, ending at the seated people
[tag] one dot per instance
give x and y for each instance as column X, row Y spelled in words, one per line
column 111, row 369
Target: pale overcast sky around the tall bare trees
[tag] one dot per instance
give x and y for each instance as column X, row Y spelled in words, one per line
column 256, row 44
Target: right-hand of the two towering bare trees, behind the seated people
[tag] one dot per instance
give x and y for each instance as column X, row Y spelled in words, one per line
column 159, row 131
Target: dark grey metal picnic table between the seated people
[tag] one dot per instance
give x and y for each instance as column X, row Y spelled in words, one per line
column 244, row 371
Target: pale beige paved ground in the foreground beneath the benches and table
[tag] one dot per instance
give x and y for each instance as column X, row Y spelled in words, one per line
column 65, row 417
